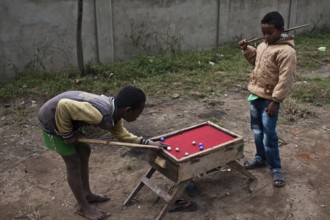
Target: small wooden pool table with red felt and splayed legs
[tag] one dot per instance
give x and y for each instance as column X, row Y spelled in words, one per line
column 220, row 147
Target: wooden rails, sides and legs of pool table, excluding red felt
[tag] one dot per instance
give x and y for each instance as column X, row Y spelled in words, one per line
column 177, row 170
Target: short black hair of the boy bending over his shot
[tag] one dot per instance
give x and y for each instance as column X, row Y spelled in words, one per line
column 130, row 96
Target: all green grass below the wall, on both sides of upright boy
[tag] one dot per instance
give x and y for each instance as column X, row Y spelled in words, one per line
column 204, row 72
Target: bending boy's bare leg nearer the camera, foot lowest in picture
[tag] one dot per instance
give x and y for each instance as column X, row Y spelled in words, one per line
column 84, row 209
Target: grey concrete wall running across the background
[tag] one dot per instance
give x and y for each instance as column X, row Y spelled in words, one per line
column 41, row 33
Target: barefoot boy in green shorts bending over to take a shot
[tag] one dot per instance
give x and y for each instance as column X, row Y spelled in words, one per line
column 61, row 118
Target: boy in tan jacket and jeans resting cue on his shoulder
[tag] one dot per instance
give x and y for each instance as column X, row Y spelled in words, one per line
column 270, row 83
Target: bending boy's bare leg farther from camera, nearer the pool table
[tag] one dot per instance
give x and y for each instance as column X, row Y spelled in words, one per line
column 84, row 154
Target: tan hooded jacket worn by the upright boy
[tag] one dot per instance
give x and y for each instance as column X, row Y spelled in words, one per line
column 274, row 71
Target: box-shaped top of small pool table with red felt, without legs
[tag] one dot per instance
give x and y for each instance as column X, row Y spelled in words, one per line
column 219, row 146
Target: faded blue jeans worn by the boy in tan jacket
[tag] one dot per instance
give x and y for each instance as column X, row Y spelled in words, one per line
column 265, row 134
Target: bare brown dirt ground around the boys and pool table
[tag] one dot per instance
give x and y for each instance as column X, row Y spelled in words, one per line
column 33, row 180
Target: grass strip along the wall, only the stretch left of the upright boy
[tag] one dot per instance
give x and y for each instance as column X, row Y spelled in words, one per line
column 201, row 71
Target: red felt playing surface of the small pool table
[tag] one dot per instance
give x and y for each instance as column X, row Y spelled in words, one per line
column 208, row 135
